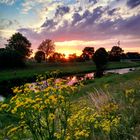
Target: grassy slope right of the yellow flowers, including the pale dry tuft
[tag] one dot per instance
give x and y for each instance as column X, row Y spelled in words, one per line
column 125, row 91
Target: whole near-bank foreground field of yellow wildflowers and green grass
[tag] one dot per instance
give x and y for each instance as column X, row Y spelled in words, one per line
column 105, row 108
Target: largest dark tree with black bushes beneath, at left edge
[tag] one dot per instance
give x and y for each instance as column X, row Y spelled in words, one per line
column 16, row 51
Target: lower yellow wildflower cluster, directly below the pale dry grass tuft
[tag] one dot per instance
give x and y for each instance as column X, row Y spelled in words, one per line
column 88, row 121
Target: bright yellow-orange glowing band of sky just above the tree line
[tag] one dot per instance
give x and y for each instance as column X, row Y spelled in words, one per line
column 76, row 46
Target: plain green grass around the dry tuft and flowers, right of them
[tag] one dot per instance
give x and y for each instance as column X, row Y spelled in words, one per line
column 115, row 87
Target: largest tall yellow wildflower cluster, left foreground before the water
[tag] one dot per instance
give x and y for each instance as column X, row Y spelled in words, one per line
column 42, row 110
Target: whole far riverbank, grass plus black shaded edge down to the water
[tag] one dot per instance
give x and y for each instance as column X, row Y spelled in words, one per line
column 17, row 77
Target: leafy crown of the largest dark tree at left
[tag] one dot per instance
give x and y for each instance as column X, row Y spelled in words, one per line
column 20, row 44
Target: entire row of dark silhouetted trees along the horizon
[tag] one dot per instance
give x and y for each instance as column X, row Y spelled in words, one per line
column 18, row 50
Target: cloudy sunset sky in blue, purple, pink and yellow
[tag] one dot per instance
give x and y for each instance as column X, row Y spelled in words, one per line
column 73, row 24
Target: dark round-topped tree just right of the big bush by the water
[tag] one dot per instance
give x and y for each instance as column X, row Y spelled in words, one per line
column 115, row 53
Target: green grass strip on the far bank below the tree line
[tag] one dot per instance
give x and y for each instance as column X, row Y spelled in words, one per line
column 33, row 69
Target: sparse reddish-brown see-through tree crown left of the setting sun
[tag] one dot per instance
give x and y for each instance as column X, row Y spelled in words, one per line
column 48, row 47
